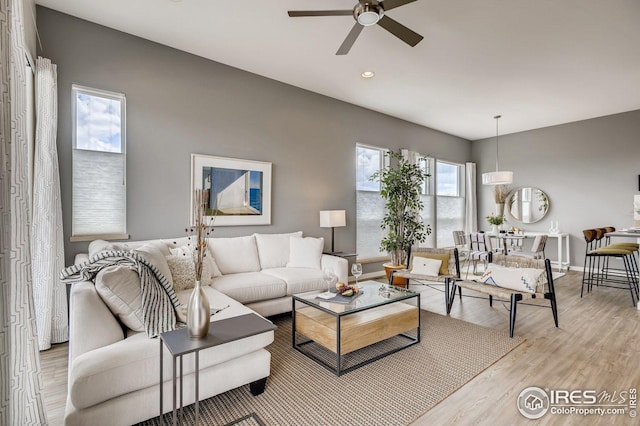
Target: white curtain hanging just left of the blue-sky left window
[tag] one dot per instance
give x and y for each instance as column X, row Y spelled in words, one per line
column 47, row 244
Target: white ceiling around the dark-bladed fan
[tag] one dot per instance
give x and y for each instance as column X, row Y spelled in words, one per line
column 537, row 62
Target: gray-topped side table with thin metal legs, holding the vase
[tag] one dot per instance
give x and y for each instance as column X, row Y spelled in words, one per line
column 224, row 331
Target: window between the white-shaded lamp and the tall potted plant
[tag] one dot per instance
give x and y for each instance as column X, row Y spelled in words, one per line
column 369, row 204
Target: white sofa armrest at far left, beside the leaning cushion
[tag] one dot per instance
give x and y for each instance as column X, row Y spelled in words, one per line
column 91, row 323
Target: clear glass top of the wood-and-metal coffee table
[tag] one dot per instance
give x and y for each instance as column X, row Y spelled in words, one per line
column 371, row 296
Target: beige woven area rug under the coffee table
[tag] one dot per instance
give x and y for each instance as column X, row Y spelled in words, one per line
column 391, row 391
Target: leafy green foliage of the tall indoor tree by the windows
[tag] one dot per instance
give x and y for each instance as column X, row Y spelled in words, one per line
column 400, row 186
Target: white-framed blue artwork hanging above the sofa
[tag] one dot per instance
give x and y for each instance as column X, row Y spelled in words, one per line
column 235, row 192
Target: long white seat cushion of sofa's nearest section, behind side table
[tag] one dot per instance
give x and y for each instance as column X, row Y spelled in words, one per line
column 133, row 363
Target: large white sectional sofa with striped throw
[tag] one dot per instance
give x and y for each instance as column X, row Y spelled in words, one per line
column 114, row 365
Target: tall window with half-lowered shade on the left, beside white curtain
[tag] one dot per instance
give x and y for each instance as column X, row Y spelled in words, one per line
column 99, row 178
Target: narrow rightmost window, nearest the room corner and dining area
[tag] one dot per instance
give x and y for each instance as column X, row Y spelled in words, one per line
column 450, row 201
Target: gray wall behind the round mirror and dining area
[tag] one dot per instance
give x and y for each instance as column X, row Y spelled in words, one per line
column 588, row 168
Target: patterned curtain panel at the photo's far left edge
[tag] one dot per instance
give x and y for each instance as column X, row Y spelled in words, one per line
column 21, row 400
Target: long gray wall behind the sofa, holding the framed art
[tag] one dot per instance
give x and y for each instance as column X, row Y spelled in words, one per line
column 178, row 104
